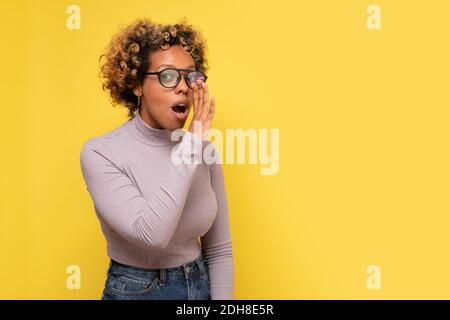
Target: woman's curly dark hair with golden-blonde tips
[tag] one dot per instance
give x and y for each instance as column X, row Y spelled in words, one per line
column 127, row 57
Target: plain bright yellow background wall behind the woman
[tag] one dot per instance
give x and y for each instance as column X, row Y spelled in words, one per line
column 364, row 131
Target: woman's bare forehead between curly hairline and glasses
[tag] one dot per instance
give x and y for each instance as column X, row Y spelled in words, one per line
column 175, row 56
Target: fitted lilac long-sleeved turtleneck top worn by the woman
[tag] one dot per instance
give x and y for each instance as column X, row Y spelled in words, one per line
column 155, row 212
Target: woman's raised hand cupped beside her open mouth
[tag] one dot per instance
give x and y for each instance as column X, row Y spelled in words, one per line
column 204, row 109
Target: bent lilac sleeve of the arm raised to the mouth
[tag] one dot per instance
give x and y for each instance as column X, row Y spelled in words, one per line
column 144, row 222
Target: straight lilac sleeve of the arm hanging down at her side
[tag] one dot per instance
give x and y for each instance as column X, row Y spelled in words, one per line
column 216, row 242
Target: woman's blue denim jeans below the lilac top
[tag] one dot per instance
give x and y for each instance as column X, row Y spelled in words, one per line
column 189, row 281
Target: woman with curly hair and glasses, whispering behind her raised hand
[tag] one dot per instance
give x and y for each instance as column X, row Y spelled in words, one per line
column 165, row 221
